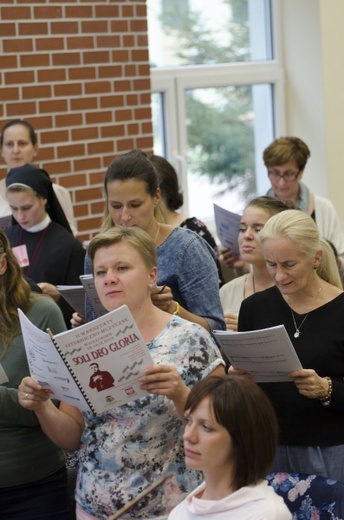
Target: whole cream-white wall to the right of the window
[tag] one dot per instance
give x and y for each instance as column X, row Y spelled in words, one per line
column 313, row 49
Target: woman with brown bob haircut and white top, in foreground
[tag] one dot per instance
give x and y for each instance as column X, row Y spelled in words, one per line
column 231, row 436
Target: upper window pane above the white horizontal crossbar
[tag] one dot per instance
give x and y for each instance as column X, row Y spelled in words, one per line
column 193, row 32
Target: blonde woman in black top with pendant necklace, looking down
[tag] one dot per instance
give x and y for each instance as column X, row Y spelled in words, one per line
column 308, row 299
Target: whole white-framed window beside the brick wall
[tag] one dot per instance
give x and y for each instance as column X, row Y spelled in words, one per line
column 217, row 91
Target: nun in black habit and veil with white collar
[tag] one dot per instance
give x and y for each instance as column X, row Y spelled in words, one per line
column 49, row 252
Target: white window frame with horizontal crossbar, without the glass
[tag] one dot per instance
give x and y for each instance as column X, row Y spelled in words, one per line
column 171, row 83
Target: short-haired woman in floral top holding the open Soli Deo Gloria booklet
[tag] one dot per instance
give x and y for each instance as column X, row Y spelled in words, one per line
column 126, row 449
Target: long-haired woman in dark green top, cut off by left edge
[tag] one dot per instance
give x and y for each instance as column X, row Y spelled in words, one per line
column 33, row 481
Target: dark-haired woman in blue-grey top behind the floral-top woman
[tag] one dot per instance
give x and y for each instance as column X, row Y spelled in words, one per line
column 188, row 282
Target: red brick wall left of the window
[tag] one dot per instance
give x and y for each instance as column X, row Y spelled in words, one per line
column 79, row 73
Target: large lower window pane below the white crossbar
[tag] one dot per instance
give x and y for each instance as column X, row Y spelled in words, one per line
column 222, row 129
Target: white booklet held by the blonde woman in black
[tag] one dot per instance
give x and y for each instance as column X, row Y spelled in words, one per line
column 267, row 354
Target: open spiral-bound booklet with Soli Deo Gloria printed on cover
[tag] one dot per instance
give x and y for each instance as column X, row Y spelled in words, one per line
column 95, row 366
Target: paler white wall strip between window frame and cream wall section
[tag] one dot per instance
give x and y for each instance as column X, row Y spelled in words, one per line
column 301, row 49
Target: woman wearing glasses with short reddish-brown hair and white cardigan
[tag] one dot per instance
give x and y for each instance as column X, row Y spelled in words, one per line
column 285, row 159
